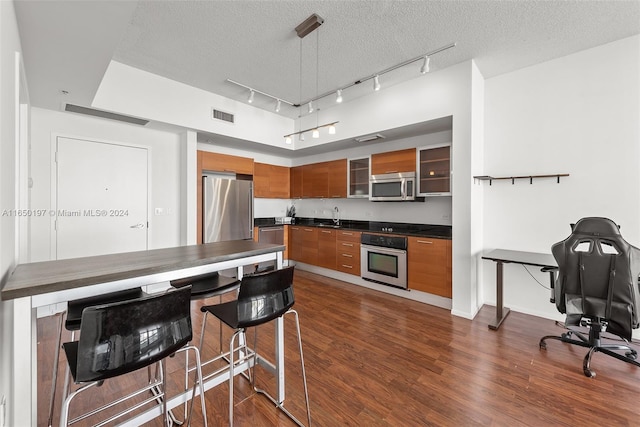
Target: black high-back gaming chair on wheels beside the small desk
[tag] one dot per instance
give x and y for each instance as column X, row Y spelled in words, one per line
column 597, row 287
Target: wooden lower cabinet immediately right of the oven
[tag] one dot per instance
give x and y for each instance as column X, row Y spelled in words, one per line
column 429, row 265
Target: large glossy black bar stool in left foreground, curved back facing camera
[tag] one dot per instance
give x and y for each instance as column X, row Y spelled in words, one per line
column 122, row 337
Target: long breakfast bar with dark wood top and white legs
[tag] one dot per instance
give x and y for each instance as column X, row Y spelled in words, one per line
column 40, row 284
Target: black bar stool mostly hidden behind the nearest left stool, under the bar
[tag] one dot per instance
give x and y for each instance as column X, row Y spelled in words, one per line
column 72, row 318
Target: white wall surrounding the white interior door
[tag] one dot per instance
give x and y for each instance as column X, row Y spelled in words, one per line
column 166, row 154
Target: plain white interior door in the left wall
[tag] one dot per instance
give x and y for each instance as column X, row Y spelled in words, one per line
column 101, row 198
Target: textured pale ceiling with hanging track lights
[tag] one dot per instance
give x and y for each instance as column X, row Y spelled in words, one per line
column 203, row 43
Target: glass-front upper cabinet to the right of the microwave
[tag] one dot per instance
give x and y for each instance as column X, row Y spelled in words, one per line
column 434, row 169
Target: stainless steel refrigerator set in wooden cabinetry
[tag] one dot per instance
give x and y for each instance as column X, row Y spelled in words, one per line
column 227, row 209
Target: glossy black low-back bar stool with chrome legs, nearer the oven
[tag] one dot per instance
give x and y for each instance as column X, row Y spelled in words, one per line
column 262, row 297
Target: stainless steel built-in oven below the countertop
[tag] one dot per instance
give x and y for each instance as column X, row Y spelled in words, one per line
column 383, row 259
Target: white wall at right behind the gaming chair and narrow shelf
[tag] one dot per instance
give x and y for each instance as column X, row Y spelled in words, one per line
column 579, row 114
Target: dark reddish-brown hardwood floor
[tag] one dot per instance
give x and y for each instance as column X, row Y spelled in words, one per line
column 374, row 359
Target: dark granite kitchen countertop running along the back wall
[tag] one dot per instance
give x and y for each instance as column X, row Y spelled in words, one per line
column 401, row 228
